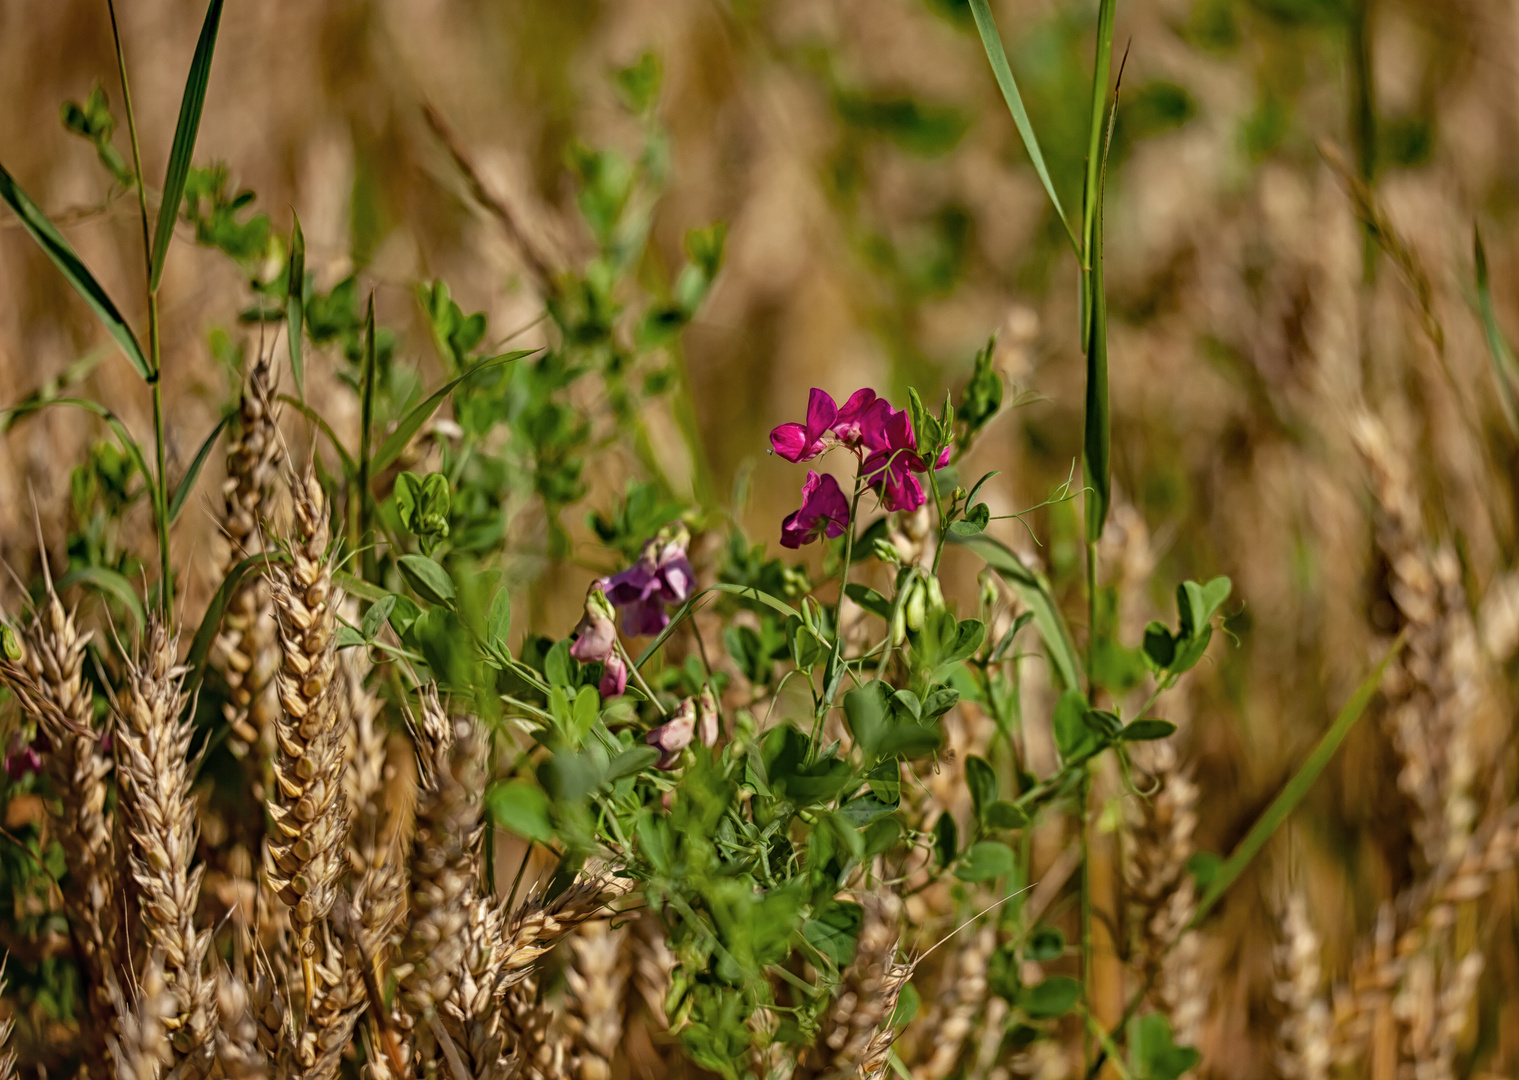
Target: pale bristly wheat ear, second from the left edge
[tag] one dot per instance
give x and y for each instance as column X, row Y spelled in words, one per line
column 160, row 813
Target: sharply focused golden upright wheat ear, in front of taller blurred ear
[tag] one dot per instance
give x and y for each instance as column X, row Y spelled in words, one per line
column 308, row 845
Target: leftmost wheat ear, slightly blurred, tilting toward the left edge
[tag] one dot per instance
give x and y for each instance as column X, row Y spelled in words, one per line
column 49, row 681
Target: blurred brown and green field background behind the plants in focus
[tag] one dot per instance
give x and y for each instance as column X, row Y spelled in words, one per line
column 1292, row 201
